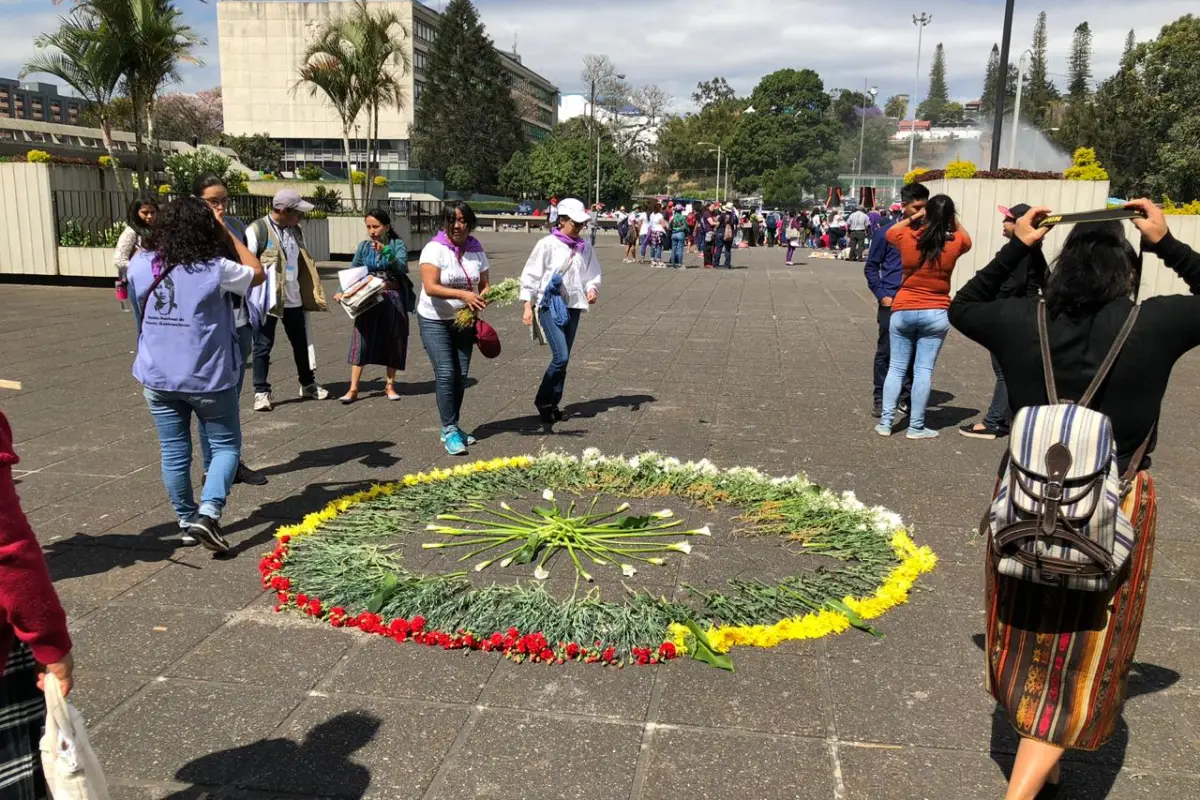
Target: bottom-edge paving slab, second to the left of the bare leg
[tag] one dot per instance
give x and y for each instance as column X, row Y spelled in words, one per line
column 721, row 766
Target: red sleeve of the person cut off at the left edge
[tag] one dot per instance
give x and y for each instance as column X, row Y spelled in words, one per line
column 28, row 601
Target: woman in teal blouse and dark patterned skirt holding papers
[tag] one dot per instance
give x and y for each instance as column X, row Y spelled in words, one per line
column 381, row 334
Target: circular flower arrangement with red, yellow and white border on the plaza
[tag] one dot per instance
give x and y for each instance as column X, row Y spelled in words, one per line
column 343, row 563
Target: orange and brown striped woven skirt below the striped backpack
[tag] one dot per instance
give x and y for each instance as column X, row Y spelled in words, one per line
column 1059, row 659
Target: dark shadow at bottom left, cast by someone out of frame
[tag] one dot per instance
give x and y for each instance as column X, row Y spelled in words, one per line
column 320, row 766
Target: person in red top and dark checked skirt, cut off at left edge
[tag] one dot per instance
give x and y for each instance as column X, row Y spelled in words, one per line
column 33, row 640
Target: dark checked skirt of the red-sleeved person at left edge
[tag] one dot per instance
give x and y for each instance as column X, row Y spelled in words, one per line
column 22, row 718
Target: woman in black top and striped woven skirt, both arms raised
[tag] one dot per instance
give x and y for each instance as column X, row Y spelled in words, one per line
column 1059, row 659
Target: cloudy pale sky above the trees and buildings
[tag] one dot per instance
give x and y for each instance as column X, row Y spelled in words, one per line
column 670, row 44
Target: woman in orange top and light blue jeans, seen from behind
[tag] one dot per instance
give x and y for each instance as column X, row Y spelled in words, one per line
column 931, row 244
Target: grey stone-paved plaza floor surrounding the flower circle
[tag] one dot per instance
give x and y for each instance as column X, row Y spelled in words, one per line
column 195, row 688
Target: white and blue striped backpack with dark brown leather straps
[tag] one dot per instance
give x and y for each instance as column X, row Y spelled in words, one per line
column 1057, row 519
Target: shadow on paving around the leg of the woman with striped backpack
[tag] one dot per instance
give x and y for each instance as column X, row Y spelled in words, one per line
column 1085, row 775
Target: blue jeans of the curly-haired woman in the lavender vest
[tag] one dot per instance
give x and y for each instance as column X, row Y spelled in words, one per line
column 220, row 434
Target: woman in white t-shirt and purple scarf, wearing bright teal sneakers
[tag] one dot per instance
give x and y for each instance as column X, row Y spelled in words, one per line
column 454, row 274
